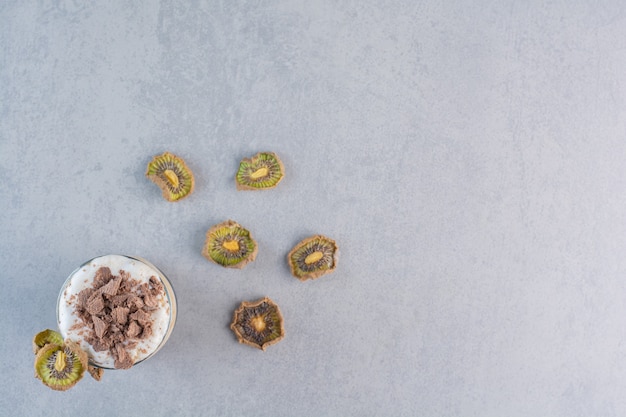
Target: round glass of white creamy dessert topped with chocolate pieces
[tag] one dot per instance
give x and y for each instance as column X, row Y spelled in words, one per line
column 119, row 309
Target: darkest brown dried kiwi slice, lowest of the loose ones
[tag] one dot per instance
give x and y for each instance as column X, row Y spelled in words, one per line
column 258, row 324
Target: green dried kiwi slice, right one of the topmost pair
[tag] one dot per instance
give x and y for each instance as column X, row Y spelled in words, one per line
column 264, row 170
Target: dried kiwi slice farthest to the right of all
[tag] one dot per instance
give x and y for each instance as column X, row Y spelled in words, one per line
column 313, row 257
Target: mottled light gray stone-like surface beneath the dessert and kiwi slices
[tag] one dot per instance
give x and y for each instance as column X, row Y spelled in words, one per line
column 468, row 158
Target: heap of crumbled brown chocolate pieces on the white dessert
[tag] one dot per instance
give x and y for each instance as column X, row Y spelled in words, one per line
column 116, row 313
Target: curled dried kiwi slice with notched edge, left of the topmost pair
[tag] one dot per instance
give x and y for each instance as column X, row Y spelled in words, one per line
column 172, row 175
